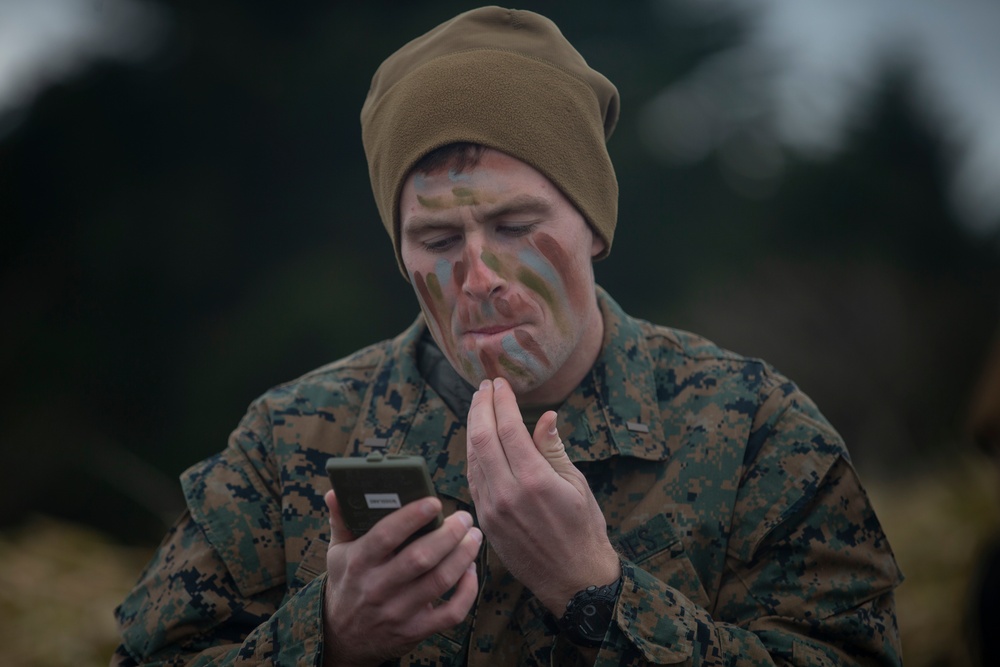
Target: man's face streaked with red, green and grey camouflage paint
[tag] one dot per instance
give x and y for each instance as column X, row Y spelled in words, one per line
column 501, row 264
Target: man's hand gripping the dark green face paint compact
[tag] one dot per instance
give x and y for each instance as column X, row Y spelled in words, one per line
column 379, row 604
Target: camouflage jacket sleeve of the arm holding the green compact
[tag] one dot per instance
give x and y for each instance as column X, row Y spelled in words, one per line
column 216, row 591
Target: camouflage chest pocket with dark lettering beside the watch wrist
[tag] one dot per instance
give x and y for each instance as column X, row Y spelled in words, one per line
column 656, row 548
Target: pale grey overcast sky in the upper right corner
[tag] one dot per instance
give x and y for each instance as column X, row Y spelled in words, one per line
column 806, row 71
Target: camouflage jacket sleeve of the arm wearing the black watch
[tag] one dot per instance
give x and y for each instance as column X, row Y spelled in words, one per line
column 809, row 574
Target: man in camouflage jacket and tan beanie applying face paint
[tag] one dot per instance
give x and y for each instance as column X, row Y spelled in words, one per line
column 615, row 493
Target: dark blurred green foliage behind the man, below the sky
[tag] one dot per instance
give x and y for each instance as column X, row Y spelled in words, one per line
column 182, row 233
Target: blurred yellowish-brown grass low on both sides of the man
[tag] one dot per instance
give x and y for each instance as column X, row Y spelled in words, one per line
column 59, row 582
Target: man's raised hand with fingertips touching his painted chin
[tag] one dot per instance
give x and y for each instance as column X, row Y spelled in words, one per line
column 534, row 505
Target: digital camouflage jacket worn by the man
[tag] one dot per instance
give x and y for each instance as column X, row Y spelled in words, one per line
column 745, row 535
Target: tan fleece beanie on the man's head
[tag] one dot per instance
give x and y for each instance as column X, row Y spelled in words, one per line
column 503, row 78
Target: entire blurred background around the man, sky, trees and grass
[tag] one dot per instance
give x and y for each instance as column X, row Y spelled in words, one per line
column 187, row 221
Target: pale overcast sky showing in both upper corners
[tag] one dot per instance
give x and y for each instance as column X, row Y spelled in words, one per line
column 800, row 77
